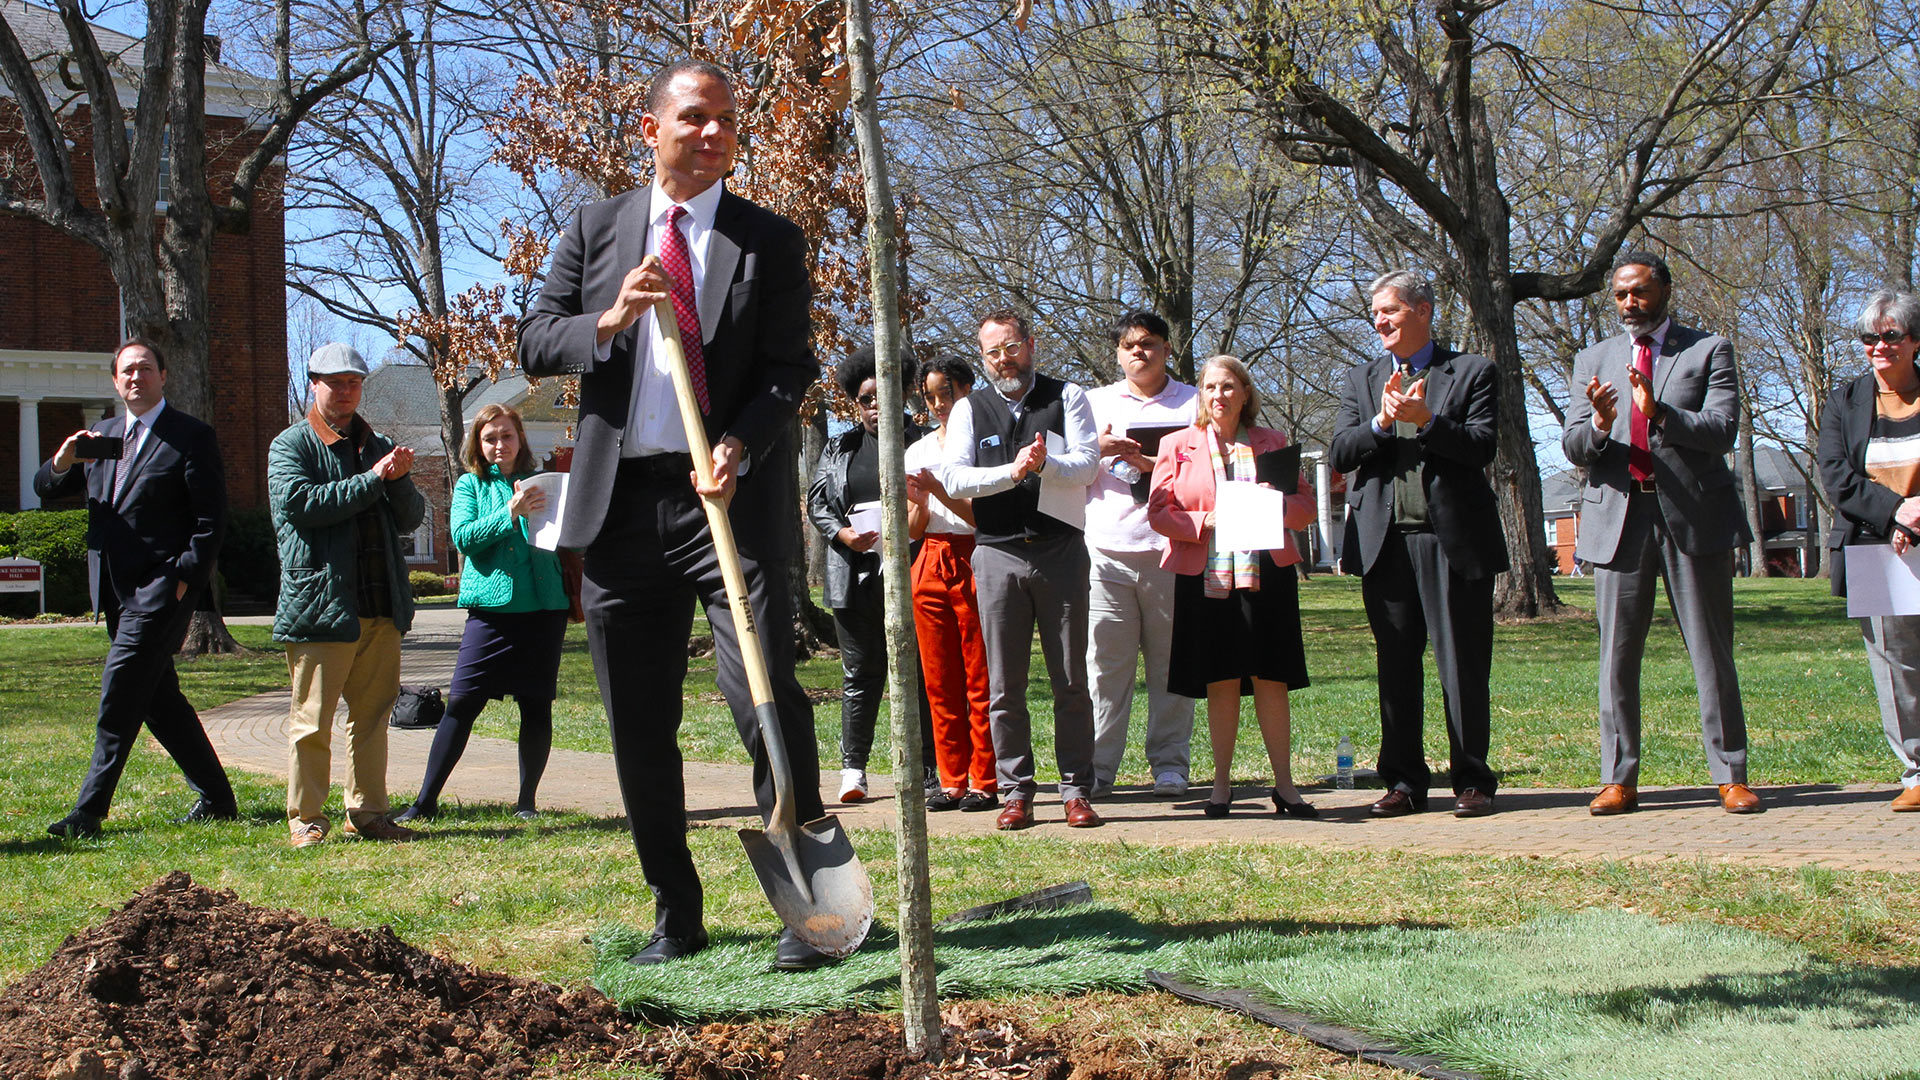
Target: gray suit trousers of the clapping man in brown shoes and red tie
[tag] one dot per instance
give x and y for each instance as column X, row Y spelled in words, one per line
column 1700, row 589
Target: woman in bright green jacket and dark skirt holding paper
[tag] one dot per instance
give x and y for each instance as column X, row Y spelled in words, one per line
column 516, row 608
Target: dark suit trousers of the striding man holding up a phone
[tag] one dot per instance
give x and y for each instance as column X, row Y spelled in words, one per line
column 137, row 687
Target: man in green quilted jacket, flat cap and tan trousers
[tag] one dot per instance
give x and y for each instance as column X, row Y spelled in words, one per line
column 341, row 499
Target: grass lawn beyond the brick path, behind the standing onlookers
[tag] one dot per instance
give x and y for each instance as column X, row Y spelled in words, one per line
column 1812, row 708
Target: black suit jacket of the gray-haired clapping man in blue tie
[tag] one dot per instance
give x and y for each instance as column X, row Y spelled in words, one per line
column 1456, row 449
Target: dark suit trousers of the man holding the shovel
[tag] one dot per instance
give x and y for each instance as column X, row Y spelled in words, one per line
column 652, row 560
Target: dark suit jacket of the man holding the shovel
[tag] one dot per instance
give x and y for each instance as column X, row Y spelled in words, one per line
column 756, row 333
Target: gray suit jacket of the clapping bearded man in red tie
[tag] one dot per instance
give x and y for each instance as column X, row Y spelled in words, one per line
column 1696, row 387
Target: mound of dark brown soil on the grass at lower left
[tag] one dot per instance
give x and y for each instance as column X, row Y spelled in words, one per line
column 189, row 983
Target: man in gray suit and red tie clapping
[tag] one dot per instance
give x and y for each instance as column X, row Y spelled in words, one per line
column 1652, row 422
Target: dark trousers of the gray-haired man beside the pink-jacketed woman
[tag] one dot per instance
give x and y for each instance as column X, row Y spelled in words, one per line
column 1414, row 597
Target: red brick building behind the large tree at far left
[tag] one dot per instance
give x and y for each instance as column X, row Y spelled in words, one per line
column 60, row 314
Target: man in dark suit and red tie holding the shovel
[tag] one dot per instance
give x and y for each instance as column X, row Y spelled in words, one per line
column 736, row 278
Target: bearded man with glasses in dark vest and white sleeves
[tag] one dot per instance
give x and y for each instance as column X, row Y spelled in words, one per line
column 1030, row 568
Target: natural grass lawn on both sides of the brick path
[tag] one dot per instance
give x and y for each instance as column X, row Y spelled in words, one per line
column 492, row 891
